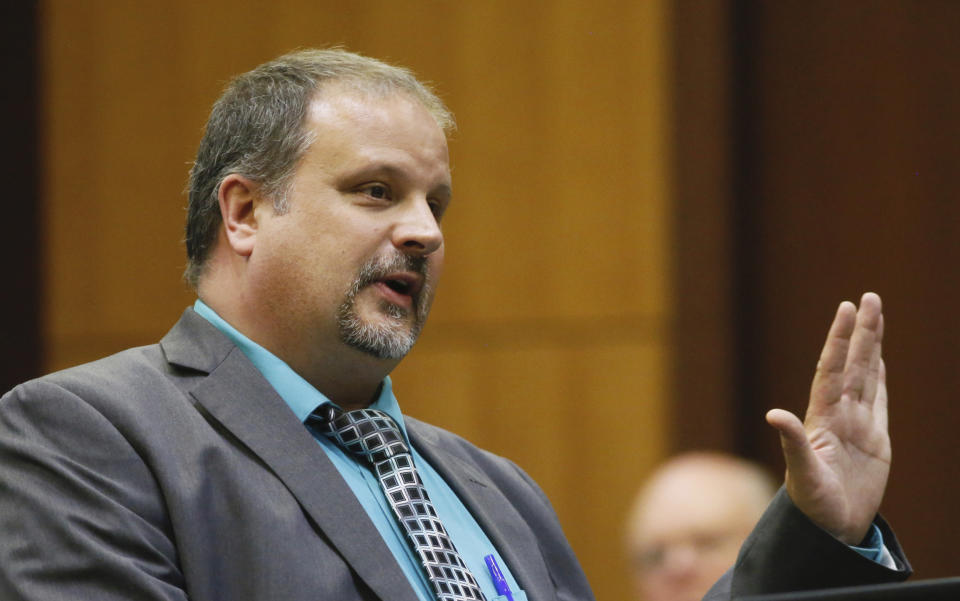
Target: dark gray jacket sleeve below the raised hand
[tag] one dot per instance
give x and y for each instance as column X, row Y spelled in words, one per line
column 788, row 552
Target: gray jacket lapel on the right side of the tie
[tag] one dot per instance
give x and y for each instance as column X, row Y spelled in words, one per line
column 501, row 522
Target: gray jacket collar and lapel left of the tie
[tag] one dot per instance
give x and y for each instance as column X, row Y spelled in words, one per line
column 238, row 397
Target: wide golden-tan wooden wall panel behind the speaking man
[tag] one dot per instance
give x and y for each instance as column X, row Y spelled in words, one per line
column 556, row 304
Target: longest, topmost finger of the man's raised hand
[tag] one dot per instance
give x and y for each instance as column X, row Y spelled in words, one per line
column 861, row 372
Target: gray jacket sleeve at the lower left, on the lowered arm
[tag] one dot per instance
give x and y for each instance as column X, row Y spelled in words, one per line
column 81, row 515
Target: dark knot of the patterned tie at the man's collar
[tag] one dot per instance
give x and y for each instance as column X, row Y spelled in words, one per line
column 367, row 433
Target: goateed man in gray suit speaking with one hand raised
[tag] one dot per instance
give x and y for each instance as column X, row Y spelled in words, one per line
column 211, row 466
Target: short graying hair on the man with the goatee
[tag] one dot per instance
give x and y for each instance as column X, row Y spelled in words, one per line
column 257, row 129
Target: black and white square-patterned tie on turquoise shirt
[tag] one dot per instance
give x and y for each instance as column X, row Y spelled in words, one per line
column 374, row 436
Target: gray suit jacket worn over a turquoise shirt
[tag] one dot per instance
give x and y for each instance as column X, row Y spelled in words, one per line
column 175, row 471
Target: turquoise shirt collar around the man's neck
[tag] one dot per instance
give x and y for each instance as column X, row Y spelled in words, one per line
column 297, row 393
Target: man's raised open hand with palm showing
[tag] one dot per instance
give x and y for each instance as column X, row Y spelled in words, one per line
column 838, row 459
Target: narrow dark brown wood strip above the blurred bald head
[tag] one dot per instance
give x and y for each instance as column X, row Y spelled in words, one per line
column 704, row 228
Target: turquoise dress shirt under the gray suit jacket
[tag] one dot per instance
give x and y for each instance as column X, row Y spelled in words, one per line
column 303, row 398
